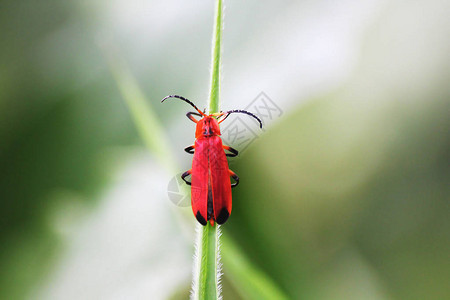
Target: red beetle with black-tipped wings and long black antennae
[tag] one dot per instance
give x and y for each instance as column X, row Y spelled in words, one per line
column 210, row 176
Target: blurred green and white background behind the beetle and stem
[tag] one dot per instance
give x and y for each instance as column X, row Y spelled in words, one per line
column 345, row 196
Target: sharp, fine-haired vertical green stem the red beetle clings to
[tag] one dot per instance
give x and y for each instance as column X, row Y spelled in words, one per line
column 207, row 283
